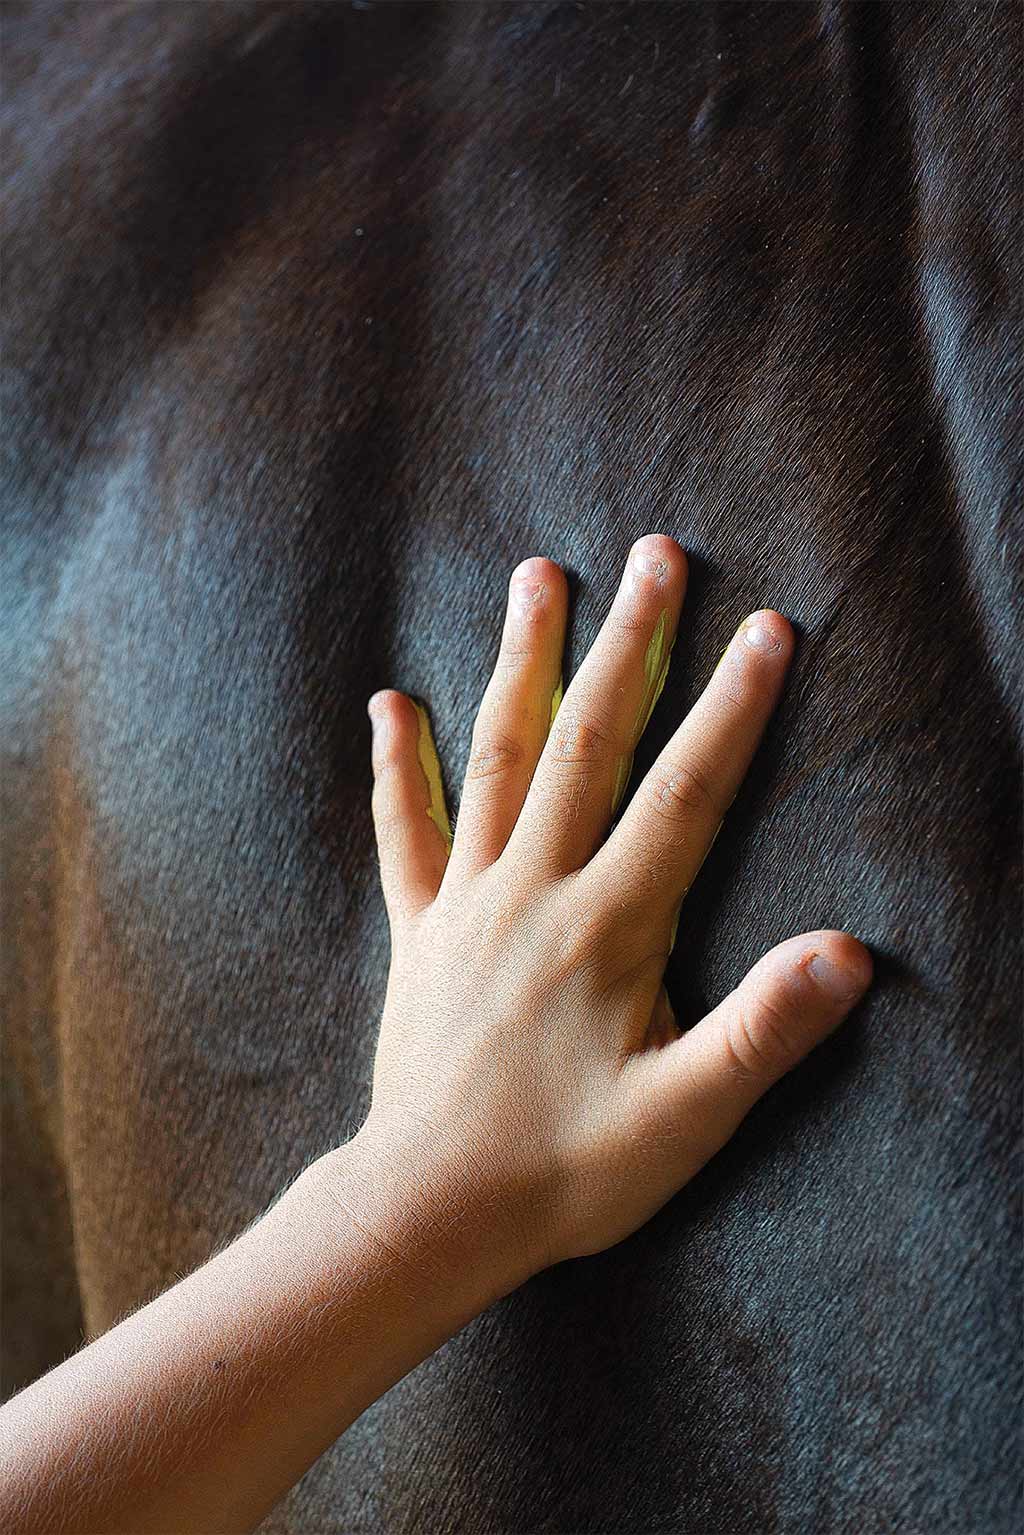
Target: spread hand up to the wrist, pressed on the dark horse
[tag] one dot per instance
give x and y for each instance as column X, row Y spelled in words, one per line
column 530, row 1072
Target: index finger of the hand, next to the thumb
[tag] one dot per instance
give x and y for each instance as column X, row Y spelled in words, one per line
column 655, row 853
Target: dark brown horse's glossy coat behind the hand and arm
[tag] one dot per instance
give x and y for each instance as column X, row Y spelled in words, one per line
column 320, row 319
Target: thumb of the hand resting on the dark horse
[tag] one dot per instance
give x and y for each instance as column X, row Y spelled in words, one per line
column 794, row 997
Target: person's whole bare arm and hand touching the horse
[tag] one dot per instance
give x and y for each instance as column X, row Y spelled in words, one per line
column 533, row 1100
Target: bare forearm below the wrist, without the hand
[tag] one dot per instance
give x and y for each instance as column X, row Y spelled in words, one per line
column 202, row 1410
